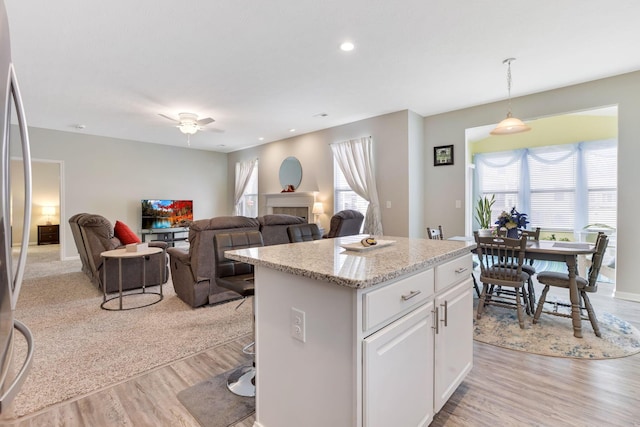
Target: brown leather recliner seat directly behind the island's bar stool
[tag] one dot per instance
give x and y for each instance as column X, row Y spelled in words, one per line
column 194, row 271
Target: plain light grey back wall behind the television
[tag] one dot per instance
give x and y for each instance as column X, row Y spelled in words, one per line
column 109, row 176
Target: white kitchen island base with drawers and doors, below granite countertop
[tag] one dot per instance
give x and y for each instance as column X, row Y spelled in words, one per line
column 372, row 357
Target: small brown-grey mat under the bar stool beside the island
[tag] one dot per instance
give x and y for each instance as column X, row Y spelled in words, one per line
column 213, row 405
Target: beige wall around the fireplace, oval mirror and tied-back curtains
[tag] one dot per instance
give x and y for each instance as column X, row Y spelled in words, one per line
column 390, row 134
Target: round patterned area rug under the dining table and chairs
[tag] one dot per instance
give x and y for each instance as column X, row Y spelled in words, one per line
column 553, row 335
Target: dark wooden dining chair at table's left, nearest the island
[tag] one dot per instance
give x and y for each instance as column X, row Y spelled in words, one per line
column 501, row 261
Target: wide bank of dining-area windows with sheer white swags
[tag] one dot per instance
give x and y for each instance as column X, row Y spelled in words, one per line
column 564, row 187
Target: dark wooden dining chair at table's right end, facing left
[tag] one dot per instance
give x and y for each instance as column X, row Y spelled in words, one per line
column 585, row 285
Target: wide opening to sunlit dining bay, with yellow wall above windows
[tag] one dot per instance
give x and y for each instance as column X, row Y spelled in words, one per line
column 559, row 182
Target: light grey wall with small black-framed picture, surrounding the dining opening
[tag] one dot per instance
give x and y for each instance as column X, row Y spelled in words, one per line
column 445, row 184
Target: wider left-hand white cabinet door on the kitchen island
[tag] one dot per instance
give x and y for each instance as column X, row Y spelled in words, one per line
column 398, row 372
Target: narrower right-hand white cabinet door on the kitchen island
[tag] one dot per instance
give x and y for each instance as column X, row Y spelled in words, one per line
column 454, row 340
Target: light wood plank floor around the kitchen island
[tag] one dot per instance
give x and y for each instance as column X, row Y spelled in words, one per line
column 505, row 388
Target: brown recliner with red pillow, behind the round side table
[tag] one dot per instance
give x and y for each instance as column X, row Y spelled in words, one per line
column 94, row 234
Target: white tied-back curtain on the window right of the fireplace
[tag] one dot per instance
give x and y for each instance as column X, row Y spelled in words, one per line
column 355, row 159
